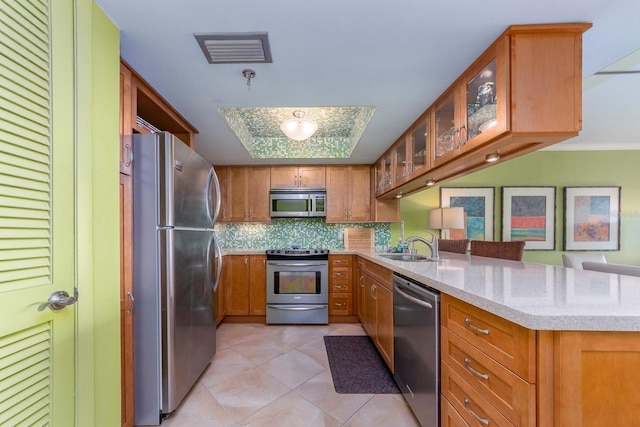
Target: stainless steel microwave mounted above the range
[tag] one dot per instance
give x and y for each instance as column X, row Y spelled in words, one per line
column 296, row 203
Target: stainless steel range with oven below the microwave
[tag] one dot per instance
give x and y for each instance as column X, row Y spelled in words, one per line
column 298, row 286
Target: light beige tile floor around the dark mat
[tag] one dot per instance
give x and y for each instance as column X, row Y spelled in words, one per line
column 272, row 375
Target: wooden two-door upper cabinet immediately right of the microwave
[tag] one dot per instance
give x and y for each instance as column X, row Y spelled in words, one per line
column 348, row 193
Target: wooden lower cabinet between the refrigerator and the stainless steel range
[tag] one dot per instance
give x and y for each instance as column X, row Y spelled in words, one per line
column 245, row 280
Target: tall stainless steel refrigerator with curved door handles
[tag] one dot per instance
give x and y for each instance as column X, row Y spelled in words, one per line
column 177, row 264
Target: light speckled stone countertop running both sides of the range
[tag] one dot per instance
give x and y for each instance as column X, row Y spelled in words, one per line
column 536, row 296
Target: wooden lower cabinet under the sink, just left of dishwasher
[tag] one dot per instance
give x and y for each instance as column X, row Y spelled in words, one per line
column 376, row 308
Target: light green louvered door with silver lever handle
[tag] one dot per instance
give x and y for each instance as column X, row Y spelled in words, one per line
column 37, row 348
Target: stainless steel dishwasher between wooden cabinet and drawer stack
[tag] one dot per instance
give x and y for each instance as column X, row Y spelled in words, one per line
column 416, row 346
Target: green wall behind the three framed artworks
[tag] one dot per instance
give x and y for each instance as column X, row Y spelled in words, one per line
column 544, row 168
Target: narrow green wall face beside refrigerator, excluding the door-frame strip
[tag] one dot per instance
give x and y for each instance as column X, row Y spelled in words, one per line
column 106, row 228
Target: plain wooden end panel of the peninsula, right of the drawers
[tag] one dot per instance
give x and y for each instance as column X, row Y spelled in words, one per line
column 596, row 379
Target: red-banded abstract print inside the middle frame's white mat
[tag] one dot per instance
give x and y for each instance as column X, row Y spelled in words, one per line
column 528, row 221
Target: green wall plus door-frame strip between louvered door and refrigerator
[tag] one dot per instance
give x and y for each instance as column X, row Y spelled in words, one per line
column 98, row 318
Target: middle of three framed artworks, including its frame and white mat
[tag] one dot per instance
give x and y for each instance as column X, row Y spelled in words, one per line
column 529, row 214
